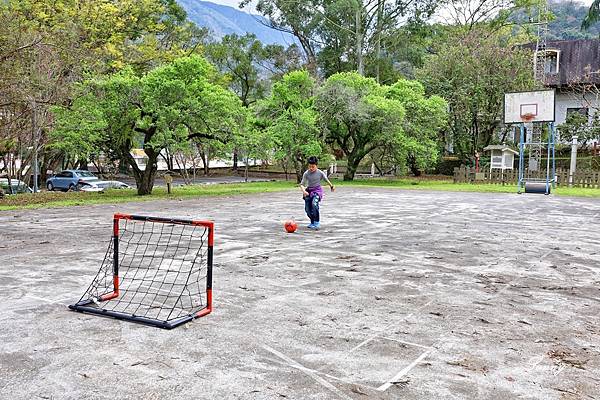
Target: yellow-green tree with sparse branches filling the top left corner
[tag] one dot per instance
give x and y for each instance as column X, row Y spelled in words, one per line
column 45, row 47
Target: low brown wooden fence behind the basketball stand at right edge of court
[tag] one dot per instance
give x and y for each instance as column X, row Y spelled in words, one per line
column 582, row 178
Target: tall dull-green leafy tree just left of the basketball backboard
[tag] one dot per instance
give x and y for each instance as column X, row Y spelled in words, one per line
column 472, row 71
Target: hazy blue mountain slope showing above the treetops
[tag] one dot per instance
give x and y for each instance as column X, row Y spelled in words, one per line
column 224, row 20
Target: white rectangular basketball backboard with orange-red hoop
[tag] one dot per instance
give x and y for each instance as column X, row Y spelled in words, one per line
column 535, row 106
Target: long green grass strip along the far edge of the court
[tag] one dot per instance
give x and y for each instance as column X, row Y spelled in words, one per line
column 58, row 199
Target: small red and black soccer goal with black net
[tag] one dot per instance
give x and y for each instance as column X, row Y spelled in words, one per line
column 156, row 271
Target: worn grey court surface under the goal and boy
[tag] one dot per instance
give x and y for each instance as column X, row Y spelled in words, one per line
column 401, row 295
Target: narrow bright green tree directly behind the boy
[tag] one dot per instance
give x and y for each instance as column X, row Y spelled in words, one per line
column 290, row 119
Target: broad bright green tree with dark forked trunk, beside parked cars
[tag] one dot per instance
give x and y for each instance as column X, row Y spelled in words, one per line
column 180, row 101
